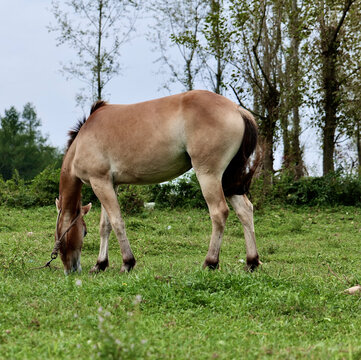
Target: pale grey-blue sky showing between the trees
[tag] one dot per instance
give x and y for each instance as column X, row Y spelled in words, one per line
column 30, row 64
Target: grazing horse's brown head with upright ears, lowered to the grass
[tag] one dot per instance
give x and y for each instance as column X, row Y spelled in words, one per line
column 69, row 234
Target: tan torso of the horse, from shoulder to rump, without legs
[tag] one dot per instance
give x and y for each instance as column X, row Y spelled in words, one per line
column 156, row 140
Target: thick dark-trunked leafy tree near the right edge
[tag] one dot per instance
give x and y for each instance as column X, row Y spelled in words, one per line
column 332, row 35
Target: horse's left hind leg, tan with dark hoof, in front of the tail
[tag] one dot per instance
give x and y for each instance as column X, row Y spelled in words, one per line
column 213, row 194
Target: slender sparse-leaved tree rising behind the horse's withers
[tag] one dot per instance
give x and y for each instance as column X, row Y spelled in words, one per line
column 96, row 30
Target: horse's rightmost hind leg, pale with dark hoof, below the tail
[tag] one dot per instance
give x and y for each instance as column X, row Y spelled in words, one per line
column 244, row 210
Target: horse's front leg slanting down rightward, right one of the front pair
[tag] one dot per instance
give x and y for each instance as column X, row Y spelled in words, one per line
column 105, row 192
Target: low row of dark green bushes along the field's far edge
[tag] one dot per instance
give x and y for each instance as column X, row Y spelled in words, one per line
column 330, row 190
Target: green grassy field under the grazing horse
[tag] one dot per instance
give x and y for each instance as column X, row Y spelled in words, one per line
column 168, row 308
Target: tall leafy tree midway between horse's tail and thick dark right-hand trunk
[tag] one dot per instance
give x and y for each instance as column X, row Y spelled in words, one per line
column 295, row 50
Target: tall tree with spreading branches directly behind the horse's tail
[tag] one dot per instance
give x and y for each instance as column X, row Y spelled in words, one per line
column 257, row 64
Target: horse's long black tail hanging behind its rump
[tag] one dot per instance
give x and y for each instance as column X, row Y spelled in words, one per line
column 238, row 175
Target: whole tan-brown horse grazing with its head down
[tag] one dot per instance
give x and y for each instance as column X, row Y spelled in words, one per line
column 152, row 142
